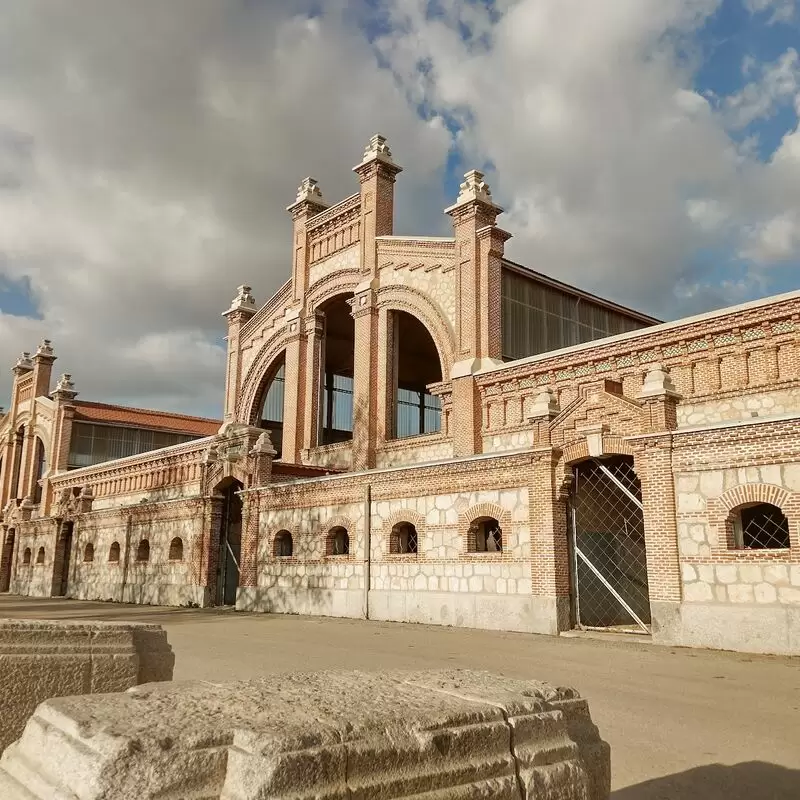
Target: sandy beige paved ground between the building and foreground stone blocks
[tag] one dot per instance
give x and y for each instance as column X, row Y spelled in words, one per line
column 683, row 724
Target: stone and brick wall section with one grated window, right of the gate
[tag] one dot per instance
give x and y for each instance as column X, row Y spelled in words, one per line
column 733, row 598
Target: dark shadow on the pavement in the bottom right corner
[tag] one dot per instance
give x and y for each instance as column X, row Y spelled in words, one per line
column 754, row 780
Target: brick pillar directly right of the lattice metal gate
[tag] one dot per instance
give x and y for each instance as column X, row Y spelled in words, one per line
column 653, row 463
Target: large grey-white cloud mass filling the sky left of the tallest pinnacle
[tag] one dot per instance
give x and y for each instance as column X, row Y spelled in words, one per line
column 147, row 153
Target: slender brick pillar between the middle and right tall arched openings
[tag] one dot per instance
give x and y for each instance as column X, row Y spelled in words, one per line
column 365, row 377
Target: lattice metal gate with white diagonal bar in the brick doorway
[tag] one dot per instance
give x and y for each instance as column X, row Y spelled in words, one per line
column 609, row 561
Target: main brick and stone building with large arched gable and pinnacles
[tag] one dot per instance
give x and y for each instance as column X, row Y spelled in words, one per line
column 418, row 429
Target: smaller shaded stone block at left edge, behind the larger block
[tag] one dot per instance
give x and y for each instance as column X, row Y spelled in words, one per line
column 40, row 659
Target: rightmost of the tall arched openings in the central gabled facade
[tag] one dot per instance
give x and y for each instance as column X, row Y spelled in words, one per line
column 415, row 367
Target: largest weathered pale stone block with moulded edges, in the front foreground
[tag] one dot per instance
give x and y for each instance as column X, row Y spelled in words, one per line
column 328, row 736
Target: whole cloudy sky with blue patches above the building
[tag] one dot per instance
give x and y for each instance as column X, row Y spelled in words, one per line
column 646, row 150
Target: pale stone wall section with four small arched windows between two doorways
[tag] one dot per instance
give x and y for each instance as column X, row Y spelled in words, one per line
column 445, row 582
